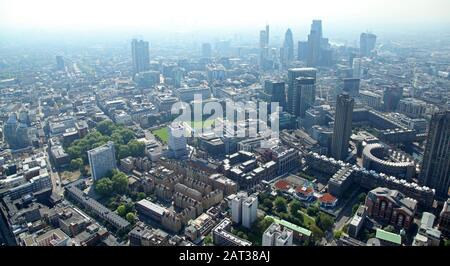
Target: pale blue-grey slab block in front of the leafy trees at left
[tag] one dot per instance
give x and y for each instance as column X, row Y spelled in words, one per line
column 102, row 160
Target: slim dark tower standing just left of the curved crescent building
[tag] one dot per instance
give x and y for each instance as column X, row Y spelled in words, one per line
column 342, row 127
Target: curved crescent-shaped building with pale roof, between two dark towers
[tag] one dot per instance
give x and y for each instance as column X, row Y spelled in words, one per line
column 377, row 157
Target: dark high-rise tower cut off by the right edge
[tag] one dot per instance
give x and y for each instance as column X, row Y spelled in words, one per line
column 435, row 170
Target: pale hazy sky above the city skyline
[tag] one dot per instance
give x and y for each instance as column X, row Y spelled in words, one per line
column 207, row 14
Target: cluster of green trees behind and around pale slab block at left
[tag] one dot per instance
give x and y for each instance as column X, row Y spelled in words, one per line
column 124, row 141
